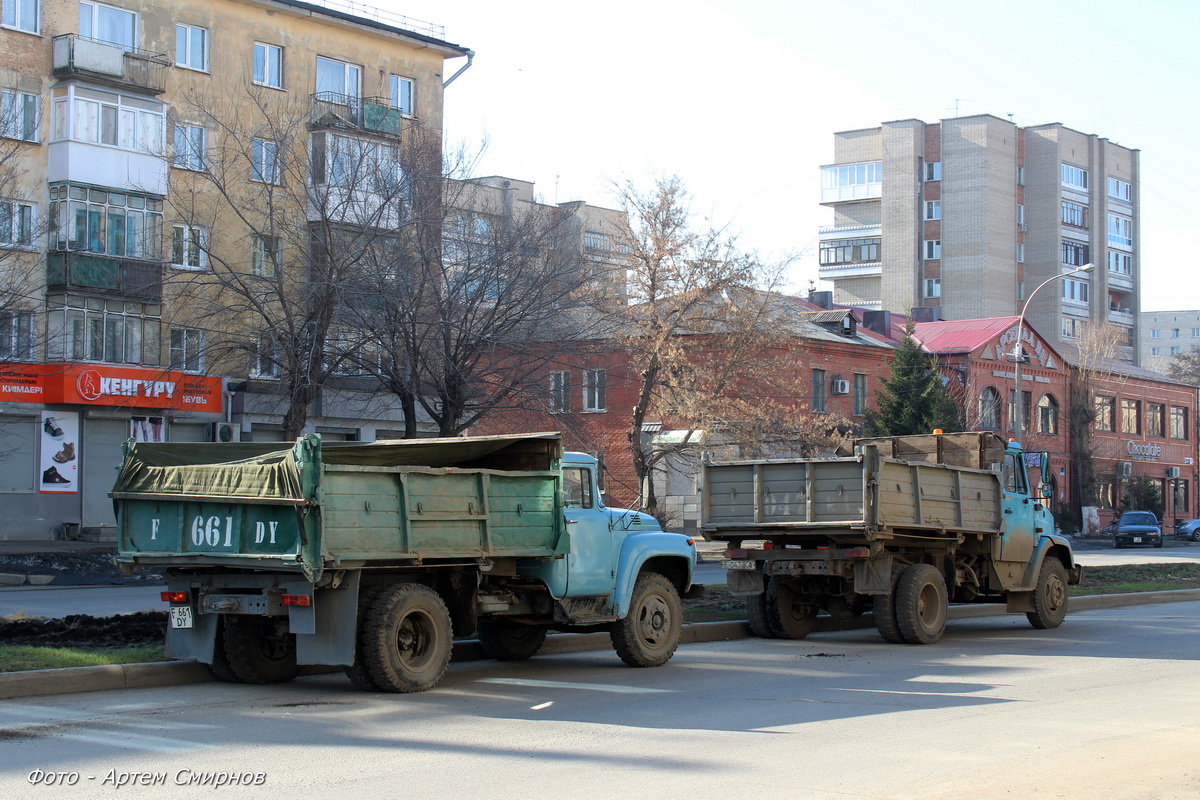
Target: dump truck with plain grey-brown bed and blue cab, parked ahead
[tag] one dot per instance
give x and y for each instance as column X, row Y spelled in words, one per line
column 899, row 526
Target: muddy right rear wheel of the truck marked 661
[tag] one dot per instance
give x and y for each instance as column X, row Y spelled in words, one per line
column 407, row 640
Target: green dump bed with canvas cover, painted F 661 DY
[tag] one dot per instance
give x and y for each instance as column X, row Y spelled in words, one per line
column 311, row 507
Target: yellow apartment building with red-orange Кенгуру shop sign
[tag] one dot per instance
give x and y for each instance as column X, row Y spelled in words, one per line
column 145, row 143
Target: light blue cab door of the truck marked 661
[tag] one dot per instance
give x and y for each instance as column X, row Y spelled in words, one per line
column 592, row 562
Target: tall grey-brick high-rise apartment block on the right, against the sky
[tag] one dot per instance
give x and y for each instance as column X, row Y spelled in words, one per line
column 965, row 218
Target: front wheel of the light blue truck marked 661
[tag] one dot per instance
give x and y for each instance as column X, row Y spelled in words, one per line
column 650, row 633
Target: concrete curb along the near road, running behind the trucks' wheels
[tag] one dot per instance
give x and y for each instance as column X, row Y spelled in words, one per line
column 175, row 673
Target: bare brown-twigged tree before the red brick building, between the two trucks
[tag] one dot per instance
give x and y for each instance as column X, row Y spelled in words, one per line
column 710, row 340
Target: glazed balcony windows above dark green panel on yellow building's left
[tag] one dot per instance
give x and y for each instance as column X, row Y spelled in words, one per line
column 111, row 224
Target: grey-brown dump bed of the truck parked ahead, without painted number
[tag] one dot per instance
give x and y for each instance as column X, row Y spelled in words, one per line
column 916, row 484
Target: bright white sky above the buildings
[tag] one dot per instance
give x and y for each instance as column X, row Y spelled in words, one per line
column 741, row 99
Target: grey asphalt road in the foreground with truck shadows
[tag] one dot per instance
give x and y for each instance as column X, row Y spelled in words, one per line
column 1106, row 707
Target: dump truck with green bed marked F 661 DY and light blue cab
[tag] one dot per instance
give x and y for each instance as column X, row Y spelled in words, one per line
column 374, row 557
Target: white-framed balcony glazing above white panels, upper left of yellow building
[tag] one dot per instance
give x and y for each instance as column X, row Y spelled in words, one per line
column 107, row 118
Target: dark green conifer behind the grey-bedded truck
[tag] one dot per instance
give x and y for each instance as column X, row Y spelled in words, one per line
column 913, row 399
